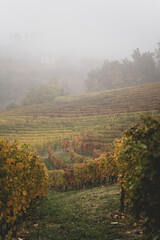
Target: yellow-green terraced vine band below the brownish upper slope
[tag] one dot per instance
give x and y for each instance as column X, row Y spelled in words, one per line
column 45, row 132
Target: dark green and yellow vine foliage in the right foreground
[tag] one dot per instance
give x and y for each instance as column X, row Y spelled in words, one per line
column 138, row 160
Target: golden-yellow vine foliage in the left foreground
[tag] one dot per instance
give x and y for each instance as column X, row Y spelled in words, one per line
column 23, row 179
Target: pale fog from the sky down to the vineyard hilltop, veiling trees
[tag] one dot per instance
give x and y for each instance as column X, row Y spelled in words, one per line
column 64, row 40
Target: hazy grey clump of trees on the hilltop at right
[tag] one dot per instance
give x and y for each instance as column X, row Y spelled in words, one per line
column 111, row 75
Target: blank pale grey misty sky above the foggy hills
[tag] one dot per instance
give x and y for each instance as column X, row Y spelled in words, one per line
column 93, row 28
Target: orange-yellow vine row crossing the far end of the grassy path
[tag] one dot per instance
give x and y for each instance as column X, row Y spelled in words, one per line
column 92, row 172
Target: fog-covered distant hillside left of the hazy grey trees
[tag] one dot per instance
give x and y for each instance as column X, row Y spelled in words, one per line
column 19, row 76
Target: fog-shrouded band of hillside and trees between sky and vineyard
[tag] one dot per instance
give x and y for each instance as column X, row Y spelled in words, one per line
column 20, row 79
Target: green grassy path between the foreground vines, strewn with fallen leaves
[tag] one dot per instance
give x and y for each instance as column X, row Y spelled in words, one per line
column 73, row 215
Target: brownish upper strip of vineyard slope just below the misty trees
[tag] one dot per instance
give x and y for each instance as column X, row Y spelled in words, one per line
column 131, row 99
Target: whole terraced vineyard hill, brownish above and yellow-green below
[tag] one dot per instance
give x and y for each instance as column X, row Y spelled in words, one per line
column 106, row 113
